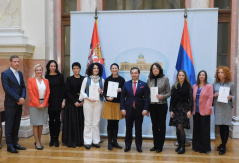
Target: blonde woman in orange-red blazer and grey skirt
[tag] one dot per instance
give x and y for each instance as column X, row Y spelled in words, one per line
column 39, row 91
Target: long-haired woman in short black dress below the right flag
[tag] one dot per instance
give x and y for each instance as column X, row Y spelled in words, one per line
column 181, row 105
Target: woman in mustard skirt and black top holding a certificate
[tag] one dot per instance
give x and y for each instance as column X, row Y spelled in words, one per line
column 111, row 109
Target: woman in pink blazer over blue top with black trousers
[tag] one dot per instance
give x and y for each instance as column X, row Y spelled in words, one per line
column 202, row 111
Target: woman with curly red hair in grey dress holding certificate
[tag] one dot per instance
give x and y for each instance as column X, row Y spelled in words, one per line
column 223, row 104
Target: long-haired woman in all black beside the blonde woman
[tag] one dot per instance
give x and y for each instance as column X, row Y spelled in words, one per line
column 56, row 100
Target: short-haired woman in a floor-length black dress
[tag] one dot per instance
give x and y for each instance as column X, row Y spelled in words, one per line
column 73, row 120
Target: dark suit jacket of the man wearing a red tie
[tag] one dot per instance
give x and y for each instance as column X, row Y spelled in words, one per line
column 141, row 97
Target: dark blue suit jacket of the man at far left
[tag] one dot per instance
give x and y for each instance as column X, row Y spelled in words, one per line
column 13, row 91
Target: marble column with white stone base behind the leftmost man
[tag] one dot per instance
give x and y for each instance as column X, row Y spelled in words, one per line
column 13, row 41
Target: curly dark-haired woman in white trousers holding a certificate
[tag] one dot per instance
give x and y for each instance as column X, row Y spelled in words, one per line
column 92, row 93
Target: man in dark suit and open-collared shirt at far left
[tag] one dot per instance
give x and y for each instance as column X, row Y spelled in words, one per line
column 15, row 93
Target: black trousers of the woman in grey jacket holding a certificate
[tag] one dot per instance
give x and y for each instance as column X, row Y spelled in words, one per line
column 158, row 113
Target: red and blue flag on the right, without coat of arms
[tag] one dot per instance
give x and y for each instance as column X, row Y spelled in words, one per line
column 185, row 58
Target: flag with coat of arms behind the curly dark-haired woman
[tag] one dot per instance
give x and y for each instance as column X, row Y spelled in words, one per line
column 95, row 54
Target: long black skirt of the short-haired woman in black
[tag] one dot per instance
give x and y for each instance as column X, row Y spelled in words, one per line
column 73, row 126
